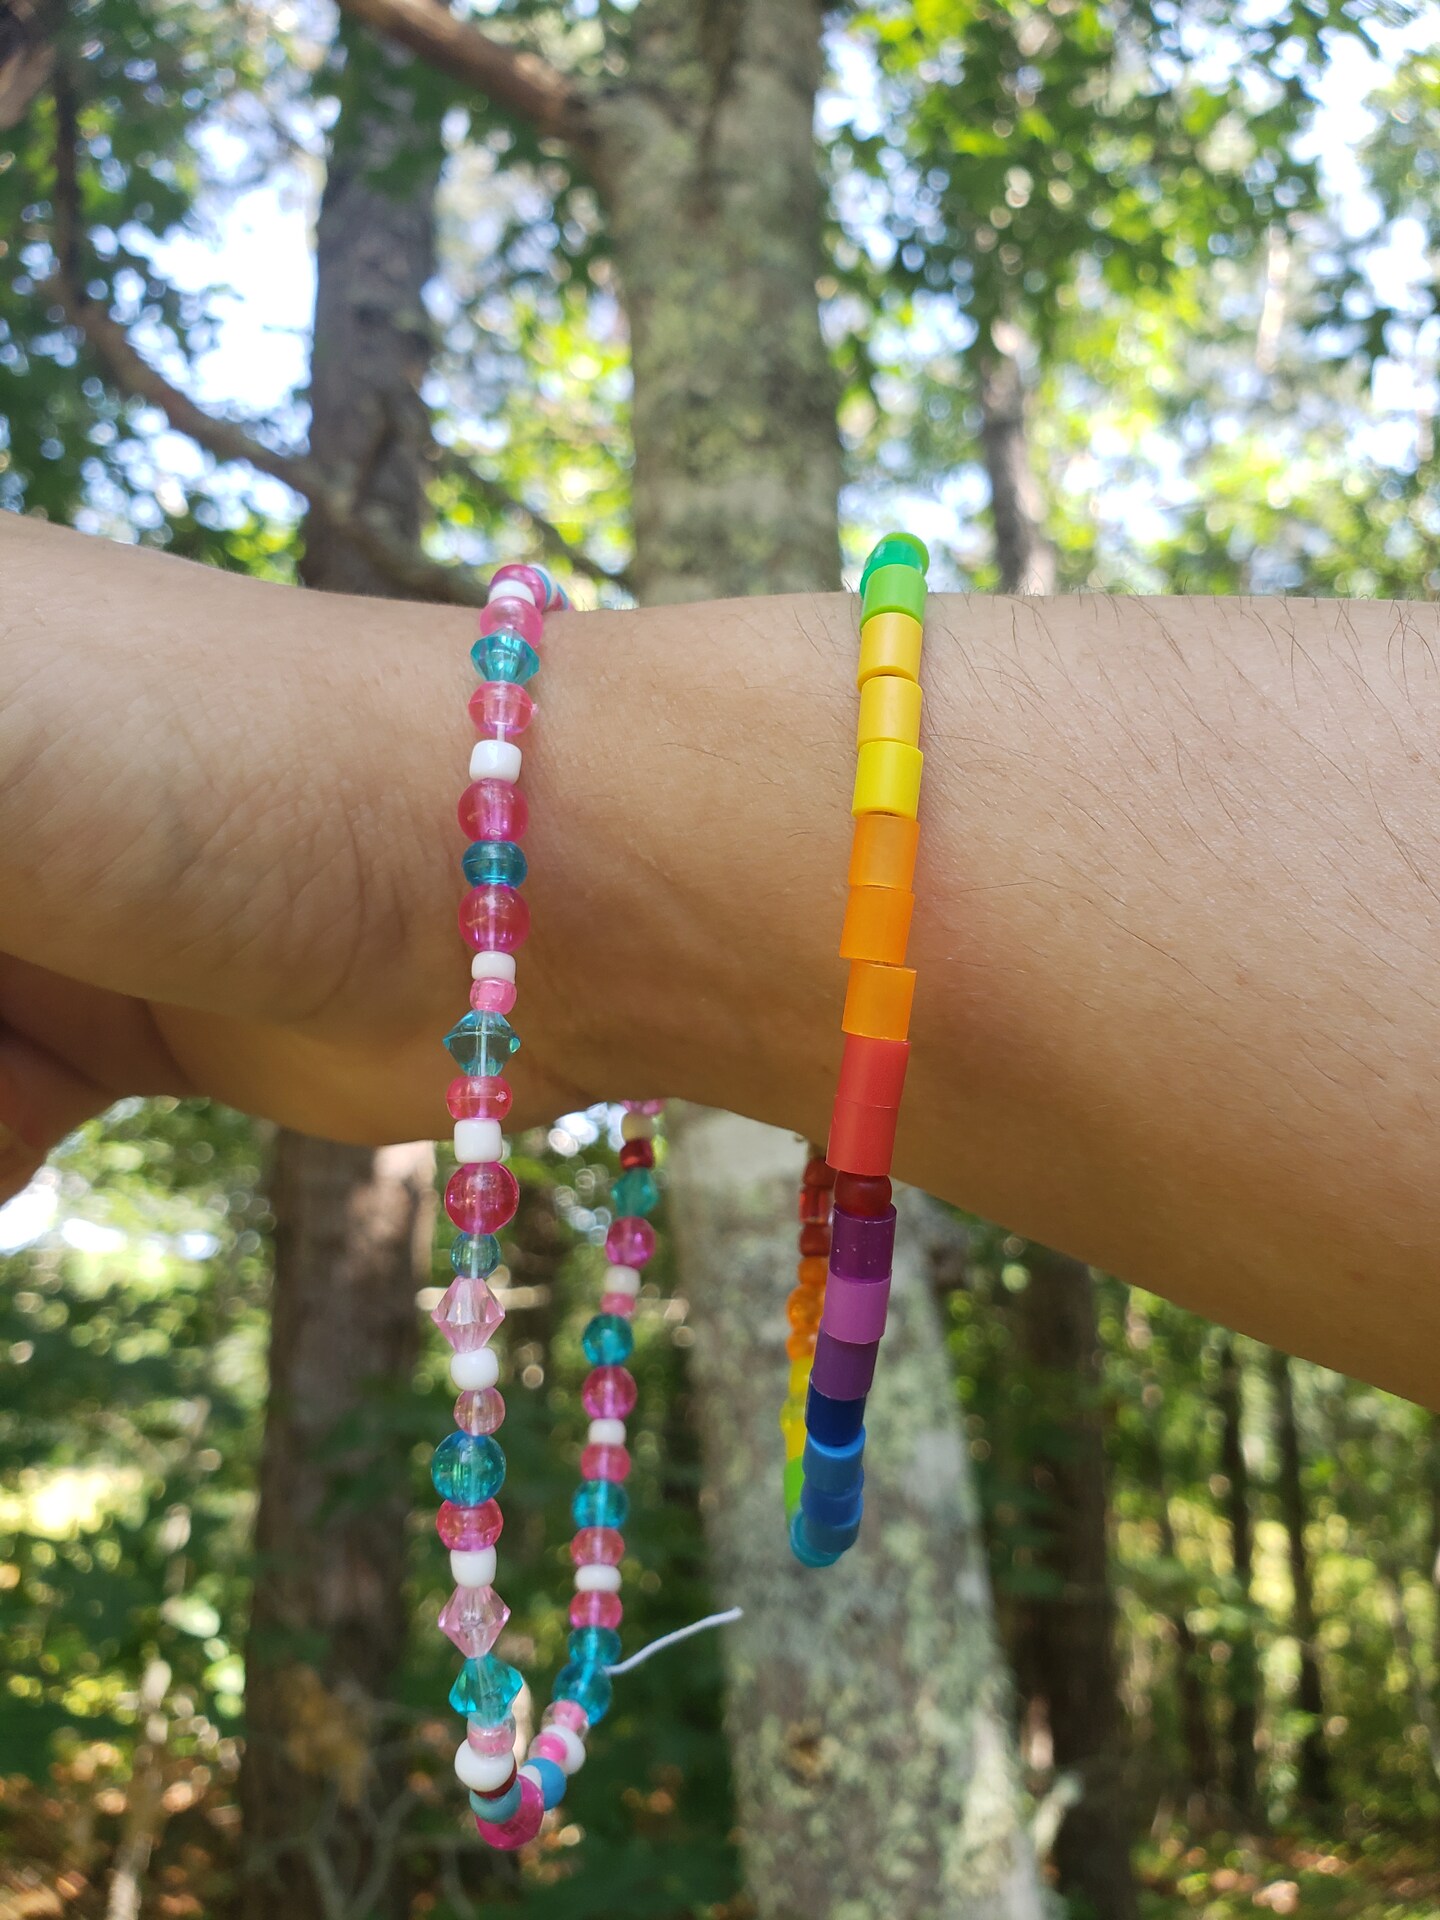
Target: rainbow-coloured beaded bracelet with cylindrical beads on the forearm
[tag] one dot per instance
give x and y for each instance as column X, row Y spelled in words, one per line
column 848, row 1222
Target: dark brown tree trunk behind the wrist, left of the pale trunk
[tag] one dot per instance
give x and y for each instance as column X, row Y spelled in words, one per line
column 324, row 1781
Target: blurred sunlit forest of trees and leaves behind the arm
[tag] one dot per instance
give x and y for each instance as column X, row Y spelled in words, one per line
column 1095, row 297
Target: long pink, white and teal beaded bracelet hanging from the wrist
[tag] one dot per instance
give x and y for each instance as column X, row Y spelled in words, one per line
column 469, row 1468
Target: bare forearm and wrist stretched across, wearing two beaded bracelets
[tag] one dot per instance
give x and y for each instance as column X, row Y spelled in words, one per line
column 1176, row 923
